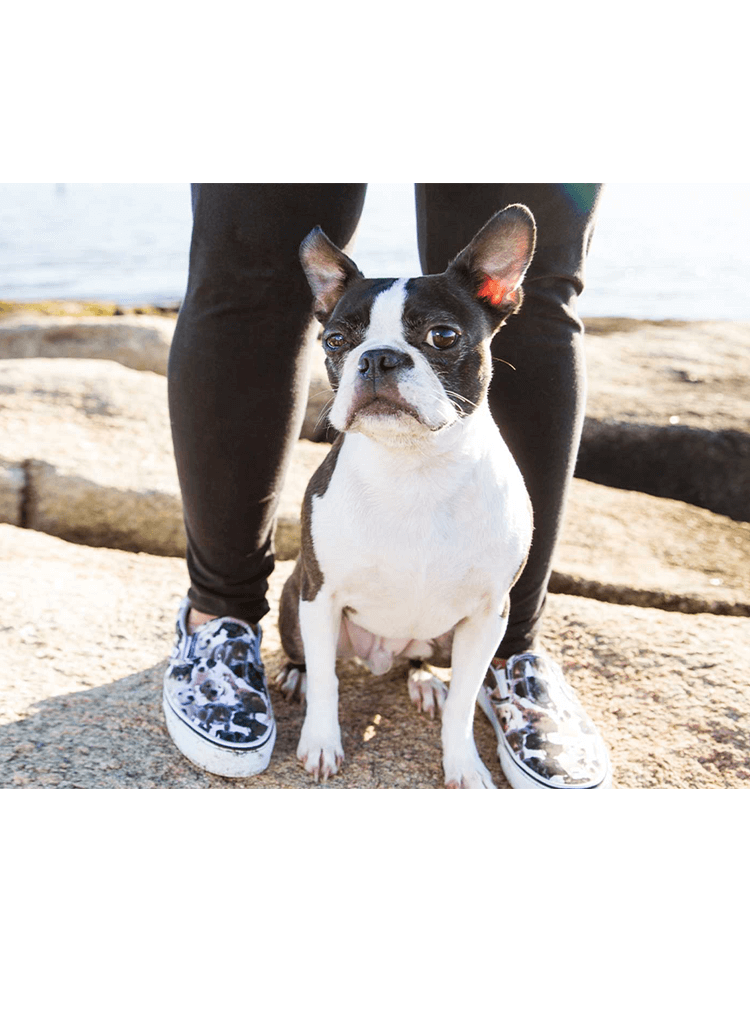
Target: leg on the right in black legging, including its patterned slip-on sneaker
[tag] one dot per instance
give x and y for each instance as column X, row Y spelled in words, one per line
column 546, row 739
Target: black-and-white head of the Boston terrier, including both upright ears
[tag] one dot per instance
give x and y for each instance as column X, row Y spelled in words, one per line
column 410, row 358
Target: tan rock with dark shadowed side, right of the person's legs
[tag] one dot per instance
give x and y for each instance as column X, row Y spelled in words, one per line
column 669, row 411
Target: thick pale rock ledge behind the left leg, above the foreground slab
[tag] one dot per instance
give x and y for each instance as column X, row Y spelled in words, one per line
column 94, row 437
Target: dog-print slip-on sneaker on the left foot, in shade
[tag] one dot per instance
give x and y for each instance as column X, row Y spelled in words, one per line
column 216, row 700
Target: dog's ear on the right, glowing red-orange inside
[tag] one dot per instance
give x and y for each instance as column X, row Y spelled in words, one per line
column 495, row 262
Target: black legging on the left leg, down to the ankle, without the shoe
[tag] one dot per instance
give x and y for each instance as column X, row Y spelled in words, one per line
column 239, row 374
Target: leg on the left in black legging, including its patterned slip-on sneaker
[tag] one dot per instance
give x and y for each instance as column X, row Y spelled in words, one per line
column 238, row 386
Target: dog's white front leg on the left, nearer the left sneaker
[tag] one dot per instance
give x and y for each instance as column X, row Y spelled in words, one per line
column 320, row 742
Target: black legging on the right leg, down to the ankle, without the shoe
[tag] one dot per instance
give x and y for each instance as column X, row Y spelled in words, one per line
column 539, row 388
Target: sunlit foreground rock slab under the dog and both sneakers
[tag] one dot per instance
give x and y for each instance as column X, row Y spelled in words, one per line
column 86, row 632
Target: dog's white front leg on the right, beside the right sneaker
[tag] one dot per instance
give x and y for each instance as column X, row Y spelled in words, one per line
column 475, row 643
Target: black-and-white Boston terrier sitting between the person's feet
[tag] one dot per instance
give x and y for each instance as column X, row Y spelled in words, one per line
column 418, row 522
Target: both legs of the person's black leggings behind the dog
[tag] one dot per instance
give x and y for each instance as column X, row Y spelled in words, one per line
column 240, row 368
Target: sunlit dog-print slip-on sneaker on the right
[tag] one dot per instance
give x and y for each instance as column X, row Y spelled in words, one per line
column 546, row 739
